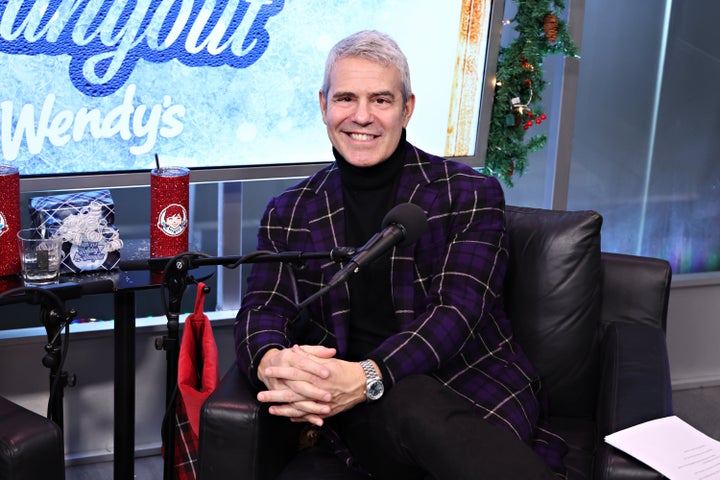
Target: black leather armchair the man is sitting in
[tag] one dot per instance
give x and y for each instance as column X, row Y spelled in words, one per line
column 593, row 323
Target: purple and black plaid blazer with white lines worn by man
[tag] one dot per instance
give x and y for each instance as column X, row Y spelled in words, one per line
column 447, row 290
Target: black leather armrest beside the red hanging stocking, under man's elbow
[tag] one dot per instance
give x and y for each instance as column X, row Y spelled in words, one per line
column 238, row 438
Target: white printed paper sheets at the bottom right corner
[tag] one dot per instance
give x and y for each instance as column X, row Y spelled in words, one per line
column 672, row 447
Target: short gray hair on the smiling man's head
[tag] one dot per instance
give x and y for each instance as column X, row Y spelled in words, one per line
column 374, row 46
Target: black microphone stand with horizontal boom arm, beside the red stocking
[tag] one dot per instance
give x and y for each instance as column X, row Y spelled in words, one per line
column 175, row 280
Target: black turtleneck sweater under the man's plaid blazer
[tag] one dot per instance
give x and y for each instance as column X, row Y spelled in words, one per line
column 368, row 194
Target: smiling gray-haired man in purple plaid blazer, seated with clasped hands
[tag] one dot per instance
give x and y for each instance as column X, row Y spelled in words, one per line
column 410, row 368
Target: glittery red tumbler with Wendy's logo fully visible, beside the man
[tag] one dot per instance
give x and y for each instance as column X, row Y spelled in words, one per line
column 169, row 221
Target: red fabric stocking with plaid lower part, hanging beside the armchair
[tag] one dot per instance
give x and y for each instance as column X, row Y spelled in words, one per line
column 197, row 378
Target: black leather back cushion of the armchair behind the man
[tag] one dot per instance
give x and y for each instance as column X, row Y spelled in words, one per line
column 553, row 299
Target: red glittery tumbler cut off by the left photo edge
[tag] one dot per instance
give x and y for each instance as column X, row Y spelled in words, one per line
column 9, row 219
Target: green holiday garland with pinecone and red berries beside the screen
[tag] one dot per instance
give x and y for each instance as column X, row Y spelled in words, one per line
column 519, row 84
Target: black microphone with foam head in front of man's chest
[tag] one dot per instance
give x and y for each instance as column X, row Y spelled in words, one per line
column 402, row 226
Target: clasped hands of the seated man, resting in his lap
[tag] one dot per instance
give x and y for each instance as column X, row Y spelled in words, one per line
column 308, row 384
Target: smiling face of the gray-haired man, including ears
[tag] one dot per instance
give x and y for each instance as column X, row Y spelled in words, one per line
column 364, row 110
